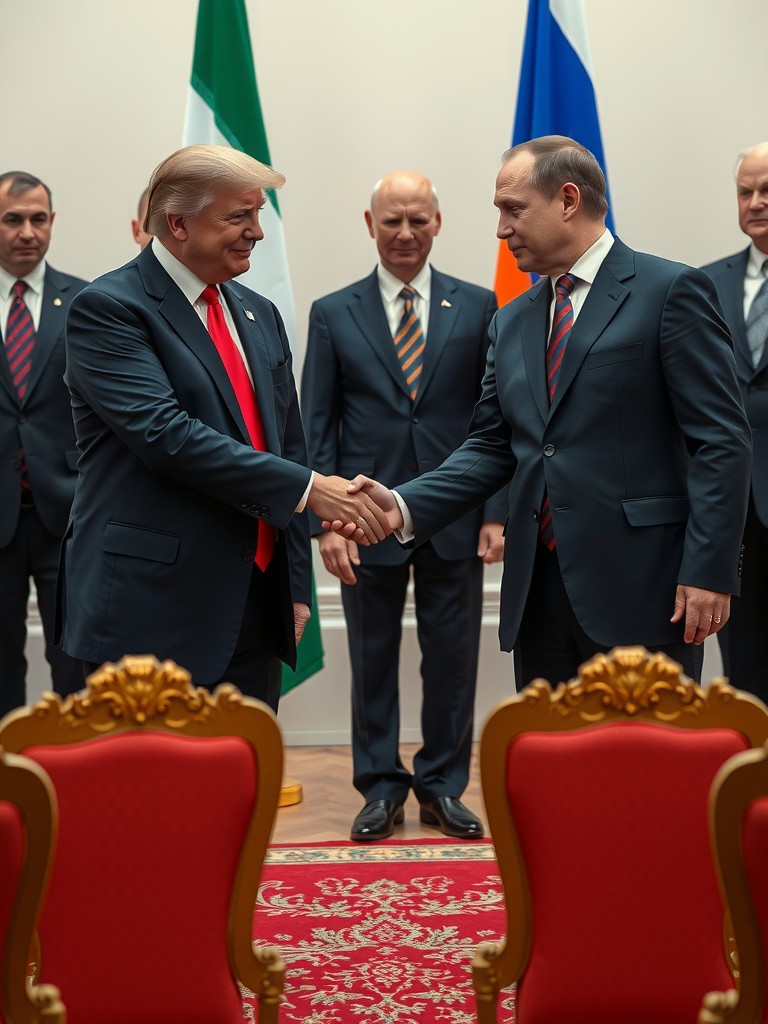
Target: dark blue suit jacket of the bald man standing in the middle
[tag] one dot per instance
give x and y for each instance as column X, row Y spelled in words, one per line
column 357, row 409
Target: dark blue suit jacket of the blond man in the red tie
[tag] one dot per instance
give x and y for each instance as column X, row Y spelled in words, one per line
column 159, row 553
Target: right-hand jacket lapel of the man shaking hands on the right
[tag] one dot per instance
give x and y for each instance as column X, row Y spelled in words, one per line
column 604, row 302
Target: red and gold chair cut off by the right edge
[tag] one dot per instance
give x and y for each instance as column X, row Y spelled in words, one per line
column 739, row 821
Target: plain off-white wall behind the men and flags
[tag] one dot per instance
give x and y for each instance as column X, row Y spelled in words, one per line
column 95, row 93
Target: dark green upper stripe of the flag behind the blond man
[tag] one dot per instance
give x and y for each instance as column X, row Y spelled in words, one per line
column 225, row 76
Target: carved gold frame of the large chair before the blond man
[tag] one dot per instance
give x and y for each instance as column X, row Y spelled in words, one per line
column 141, row 694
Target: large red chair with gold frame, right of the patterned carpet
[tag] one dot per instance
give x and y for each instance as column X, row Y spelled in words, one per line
column 596, row 796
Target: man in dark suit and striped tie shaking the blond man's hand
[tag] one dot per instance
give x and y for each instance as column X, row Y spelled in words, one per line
column 611, row 402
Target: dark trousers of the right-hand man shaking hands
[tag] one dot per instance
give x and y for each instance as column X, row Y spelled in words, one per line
column 552, row 646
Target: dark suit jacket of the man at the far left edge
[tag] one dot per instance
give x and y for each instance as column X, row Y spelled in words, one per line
column 42, row 425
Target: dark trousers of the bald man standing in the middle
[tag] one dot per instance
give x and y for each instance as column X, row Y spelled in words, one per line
column 449, row 607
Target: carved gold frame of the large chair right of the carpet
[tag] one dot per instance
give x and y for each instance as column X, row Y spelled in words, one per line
column 626, row 685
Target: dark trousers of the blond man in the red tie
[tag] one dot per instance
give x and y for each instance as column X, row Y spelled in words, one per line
column 254, row 667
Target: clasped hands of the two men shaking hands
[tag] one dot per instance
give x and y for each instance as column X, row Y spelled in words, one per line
column 360, row 510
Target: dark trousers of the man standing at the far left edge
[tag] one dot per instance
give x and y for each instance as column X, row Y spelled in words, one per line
column 33, row 553
